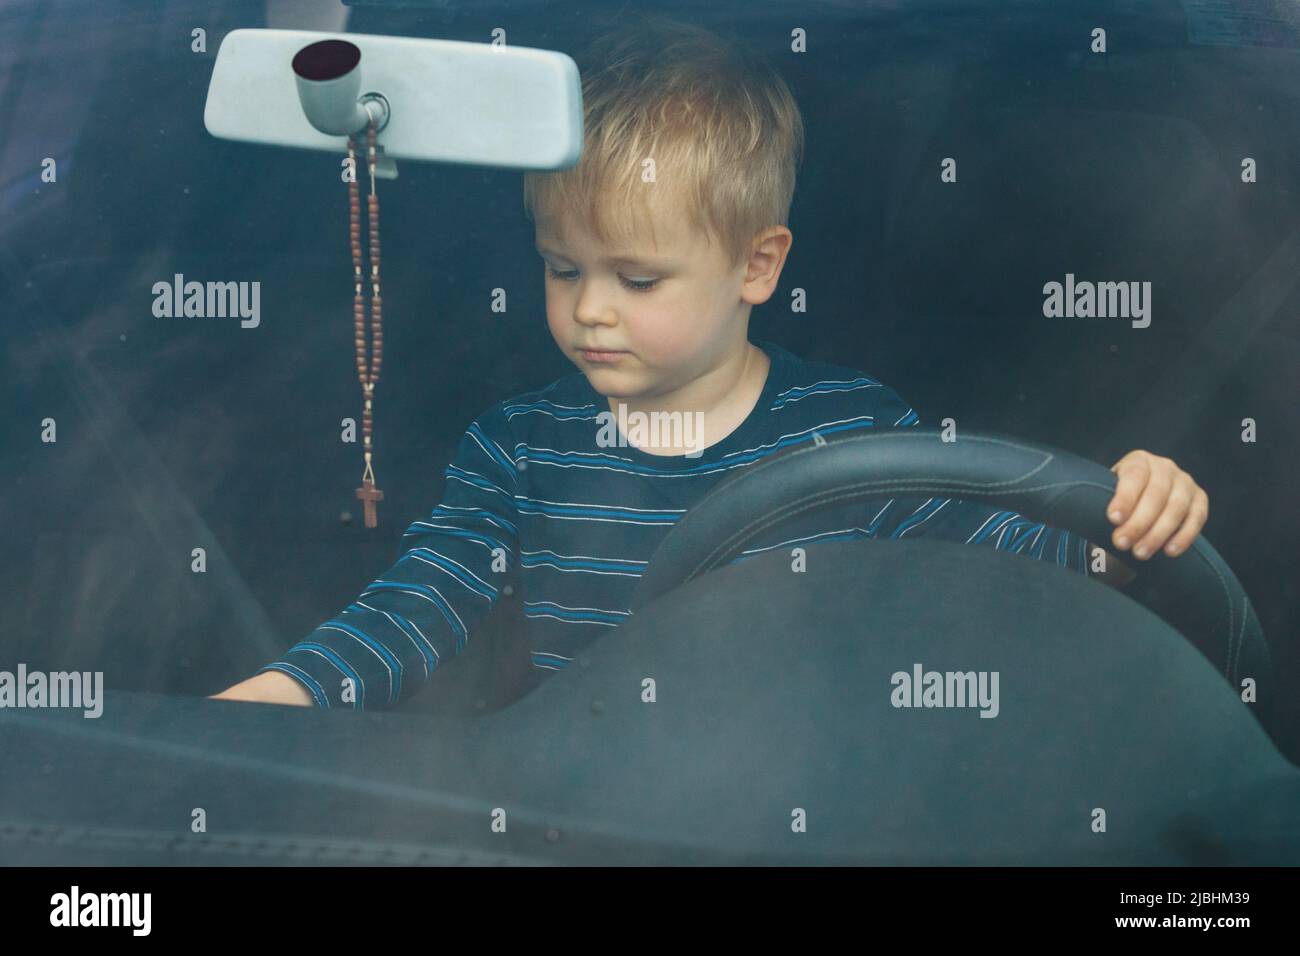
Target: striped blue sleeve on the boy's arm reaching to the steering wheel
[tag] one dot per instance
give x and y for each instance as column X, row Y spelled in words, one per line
column 969, row 522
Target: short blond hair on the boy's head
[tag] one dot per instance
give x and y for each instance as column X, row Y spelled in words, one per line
column 721, row 126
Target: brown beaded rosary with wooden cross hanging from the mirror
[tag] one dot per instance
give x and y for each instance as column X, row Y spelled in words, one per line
column 367, row 373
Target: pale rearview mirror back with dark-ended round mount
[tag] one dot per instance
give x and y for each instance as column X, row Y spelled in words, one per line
column 434, row 101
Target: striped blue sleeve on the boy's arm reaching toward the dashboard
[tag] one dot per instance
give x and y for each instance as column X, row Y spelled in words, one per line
column 383, row 647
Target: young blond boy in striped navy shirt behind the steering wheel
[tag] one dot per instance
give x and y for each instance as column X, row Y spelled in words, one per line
column 657, row 246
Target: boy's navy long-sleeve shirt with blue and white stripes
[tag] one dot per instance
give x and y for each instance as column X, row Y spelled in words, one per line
column 536, row 498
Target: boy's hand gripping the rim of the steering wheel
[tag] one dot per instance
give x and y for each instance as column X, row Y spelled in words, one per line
column 1156, row 505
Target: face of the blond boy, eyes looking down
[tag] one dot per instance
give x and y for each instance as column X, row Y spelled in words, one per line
column 669, row 314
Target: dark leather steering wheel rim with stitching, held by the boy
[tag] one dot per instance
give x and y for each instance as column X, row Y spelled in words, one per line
column 1197, row 594
